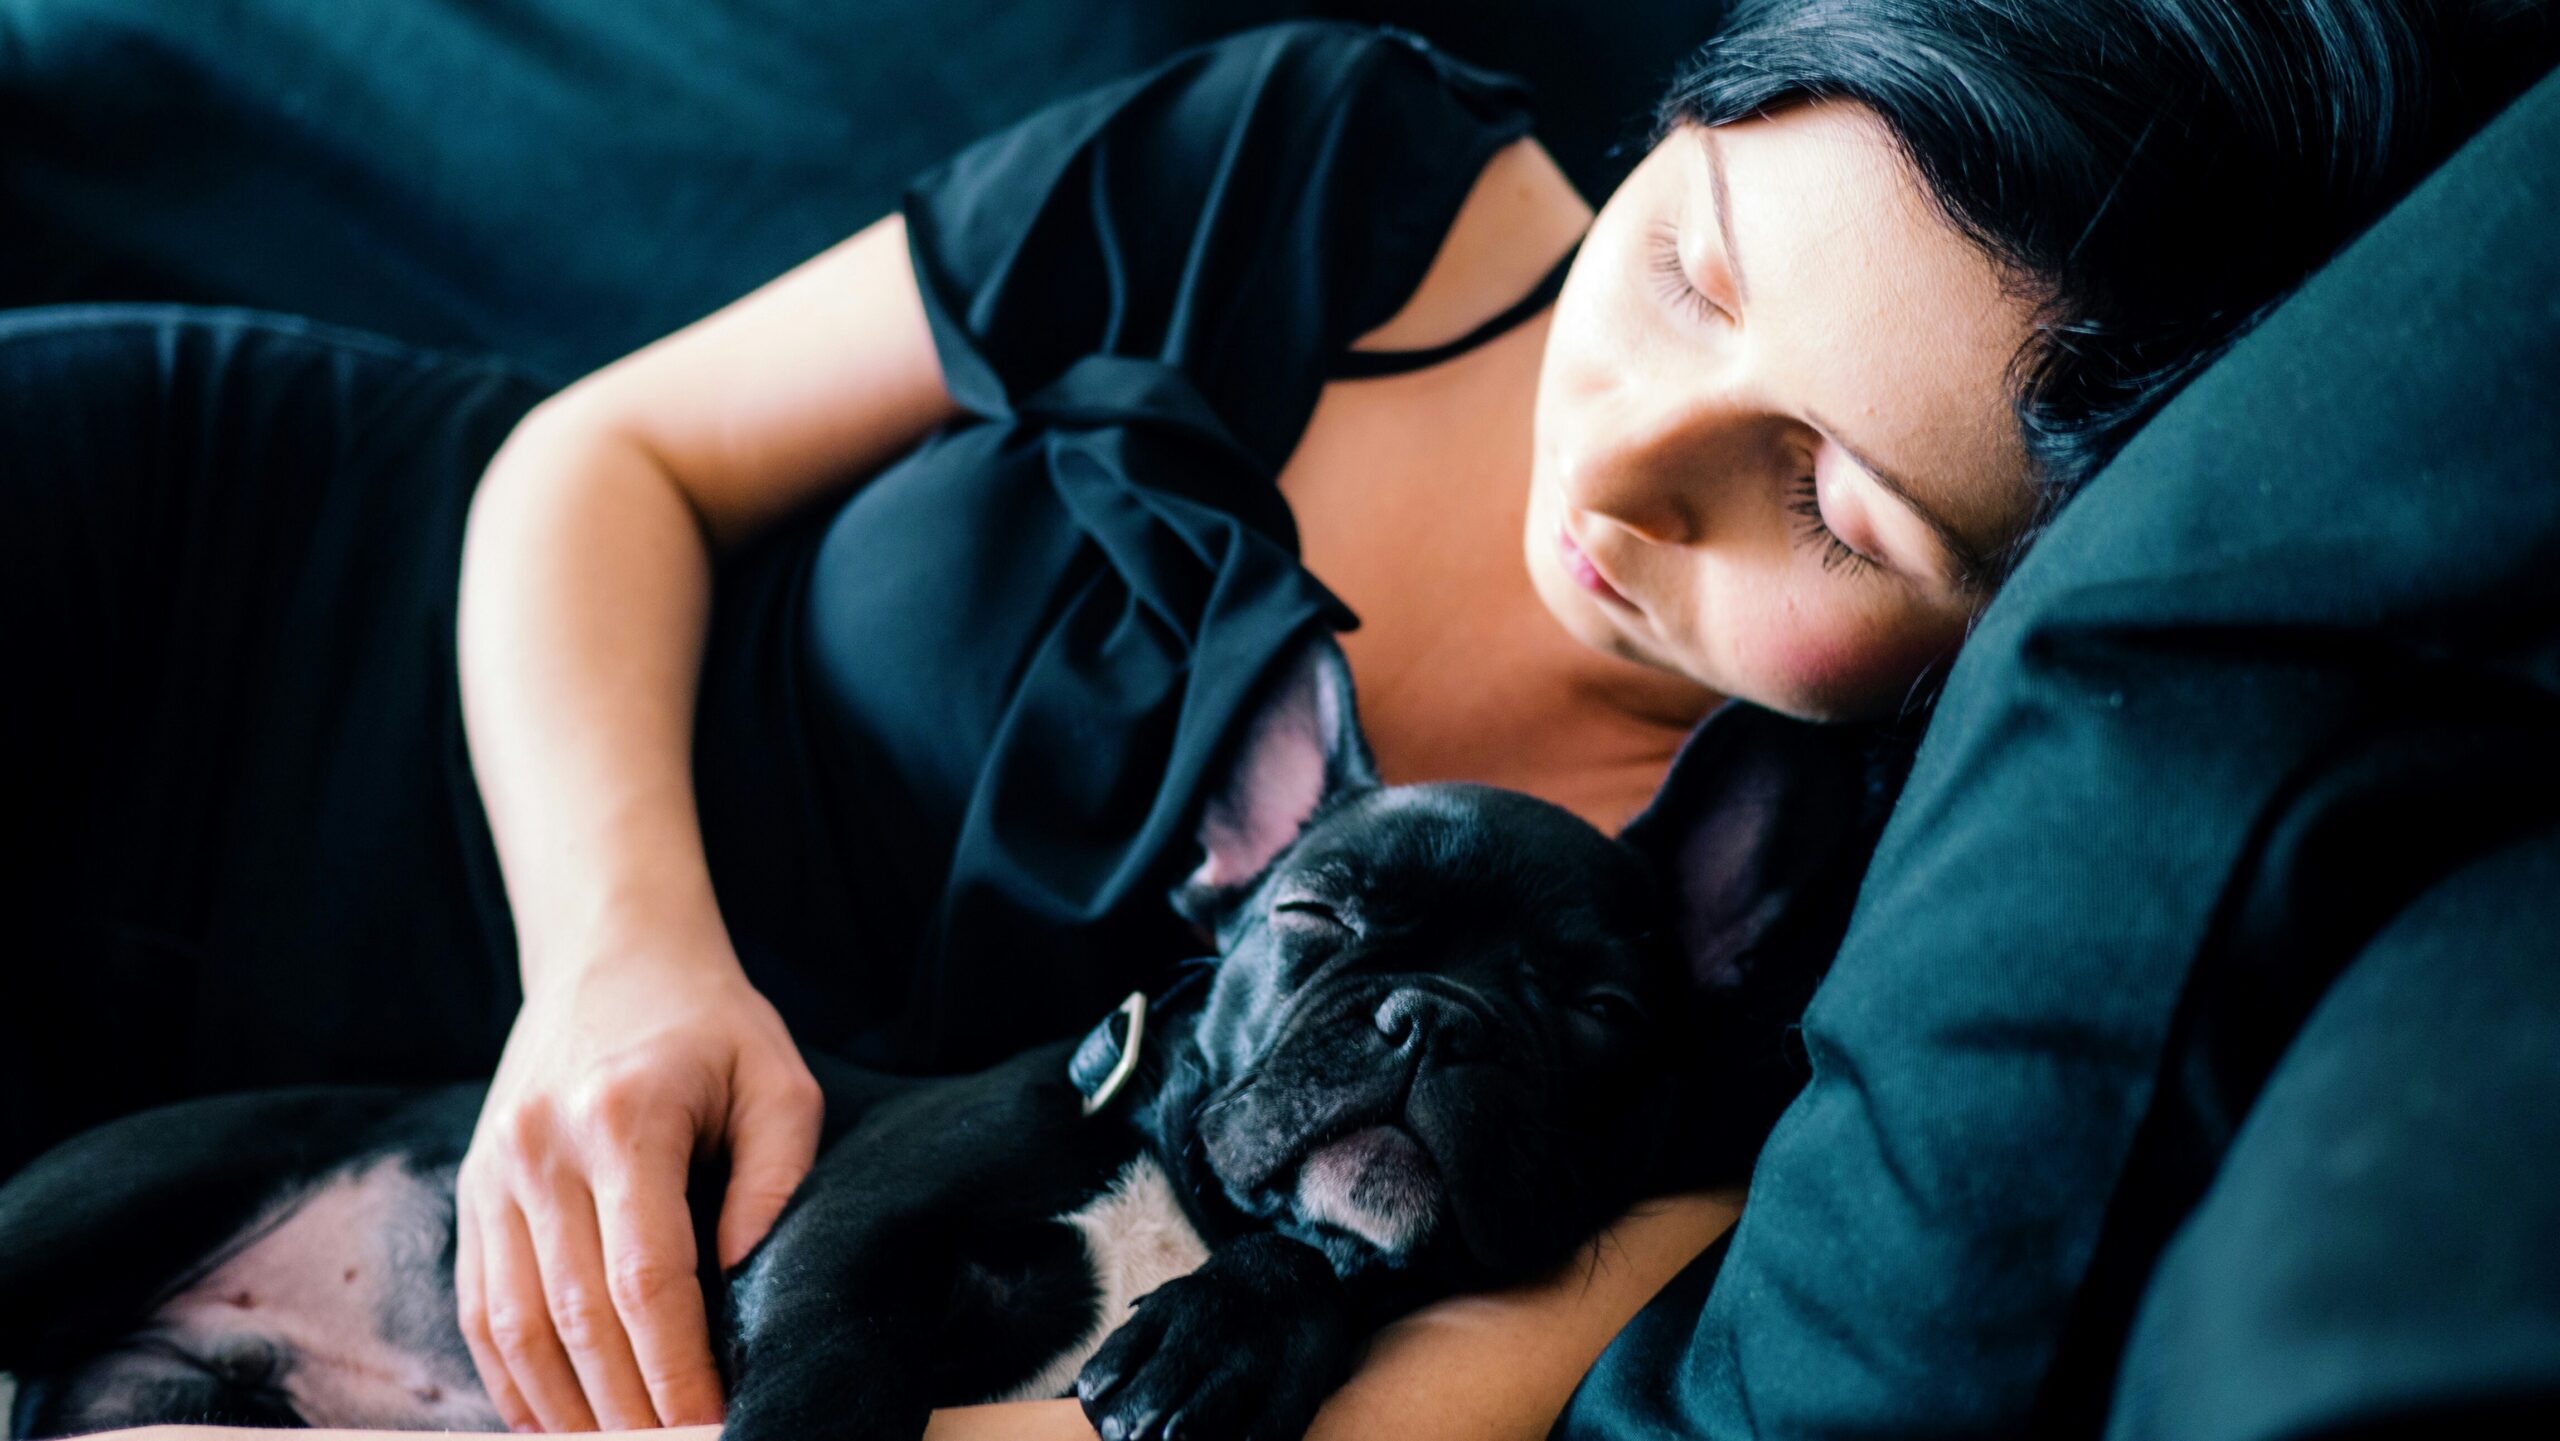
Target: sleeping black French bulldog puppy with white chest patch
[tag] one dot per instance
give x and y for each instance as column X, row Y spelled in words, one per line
column 1425, row 1061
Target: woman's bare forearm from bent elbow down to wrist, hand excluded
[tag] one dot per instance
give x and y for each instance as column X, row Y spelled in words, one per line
column 585, row 598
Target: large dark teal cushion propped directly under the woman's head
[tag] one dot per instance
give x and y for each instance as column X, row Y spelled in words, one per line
column 2282, row 667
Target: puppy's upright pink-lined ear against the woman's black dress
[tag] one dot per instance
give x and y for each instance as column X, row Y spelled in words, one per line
column 1299, row 751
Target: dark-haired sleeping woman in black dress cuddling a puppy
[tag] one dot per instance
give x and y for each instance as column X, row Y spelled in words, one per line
column 841, row 669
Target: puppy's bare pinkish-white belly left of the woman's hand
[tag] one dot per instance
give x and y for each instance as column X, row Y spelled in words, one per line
column 347, row 1291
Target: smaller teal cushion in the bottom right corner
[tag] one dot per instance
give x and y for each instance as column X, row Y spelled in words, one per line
column 2377, row 1248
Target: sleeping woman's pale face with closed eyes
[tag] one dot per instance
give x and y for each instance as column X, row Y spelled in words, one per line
column 1775, row 431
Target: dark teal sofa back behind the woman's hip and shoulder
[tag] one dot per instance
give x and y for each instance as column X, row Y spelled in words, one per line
column 567, row 180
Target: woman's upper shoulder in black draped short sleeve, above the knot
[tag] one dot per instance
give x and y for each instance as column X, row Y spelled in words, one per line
column 1243, row 209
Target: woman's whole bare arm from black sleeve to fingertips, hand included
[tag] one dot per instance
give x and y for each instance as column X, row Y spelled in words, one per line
column 585, row 595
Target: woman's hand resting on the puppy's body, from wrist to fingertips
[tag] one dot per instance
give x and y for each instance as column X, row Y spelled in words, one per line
column 575, row 1248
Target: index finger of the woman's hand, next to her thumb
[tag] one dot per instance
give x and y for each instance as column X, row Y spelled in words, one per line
column 649, row 1266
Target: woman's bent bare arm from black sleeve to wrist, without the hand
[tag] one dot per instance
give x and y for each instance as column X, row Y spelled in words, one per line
column 588, row 572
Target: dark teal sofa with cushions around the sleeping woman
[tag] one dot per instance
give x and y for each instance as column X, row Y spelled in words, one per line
column 2193, row 1063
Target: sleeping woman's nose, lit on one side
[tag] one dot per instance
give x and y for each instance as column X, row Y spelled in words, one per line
column 1650, row 462
